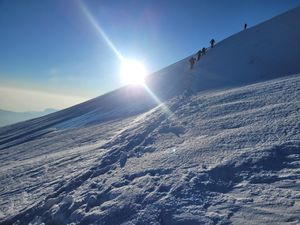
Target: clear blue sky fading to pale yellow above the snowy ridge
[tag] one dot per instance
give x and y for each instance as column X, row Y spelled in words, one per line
column 55, row 53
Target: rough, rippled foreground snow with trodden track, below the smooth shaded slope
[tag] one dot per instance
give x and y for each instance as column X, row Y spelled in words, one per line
column 228, row 156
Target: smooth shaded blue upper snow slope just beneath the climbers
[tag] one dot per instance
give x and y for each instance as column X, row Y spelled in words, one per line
column 268, row 50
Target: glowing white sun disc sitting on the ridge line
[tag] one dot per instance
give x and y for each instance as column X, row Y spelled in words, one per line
column 133, row 72
